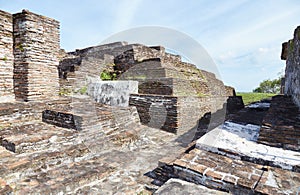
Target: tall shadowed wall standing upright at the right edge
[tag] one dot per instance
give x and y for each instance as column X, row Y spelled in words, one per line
column 291, row 52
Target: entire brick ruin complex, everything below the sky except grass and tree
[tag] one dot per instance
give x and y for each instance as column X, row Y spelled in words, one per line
column 55, row 141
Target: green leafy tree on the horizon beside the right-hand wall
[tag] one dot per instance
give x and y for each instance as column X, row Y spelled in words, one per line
column 269, row 86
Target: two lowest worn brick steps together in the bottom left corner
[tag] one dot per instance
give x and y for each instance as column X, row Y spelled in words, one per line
column 54, row 172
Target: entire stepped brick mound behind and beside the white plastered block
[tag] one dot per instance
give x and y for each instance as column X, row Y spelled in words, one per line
column 169, row 90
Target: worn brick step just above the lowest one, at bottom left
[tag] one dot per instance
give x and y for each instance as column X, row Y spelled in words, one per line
column 30, row 163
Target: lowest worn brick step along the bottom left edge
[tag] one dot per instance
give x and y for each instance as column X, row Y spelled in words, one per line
column 72, row 176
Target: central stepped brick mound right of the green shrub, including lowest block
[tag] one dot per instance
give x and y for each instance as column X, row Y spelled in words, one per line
column 164, row 76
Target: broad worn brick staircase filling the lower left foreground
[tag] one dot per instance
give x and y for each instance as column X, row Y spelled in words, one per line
column 33, row 153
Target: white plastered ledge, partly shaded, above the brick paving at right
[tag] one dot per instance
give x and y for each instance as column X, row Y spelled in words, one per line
column 238, row 142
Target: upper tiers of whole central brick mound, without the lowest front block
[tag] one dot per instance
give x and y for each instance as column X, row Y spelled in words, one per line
column 157, row 72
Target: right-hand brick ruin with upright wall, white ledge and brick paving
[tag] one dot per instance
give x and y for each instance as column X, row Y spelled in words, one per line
column 255, row 151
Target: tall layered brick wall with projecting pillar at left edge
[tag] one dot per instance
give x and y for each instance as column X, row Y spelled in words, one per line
column 29, row 61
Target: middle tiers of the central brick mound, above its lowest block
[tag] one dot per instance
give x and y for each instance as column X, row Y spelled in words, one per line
column 180, row 80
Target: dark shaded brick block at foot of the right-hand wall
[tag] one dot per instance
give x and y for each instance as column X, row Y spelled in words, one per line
column 281, row 125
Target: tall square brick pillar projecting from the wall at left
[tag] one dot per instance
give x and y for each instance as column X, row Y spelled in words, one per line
column 36, row 47
